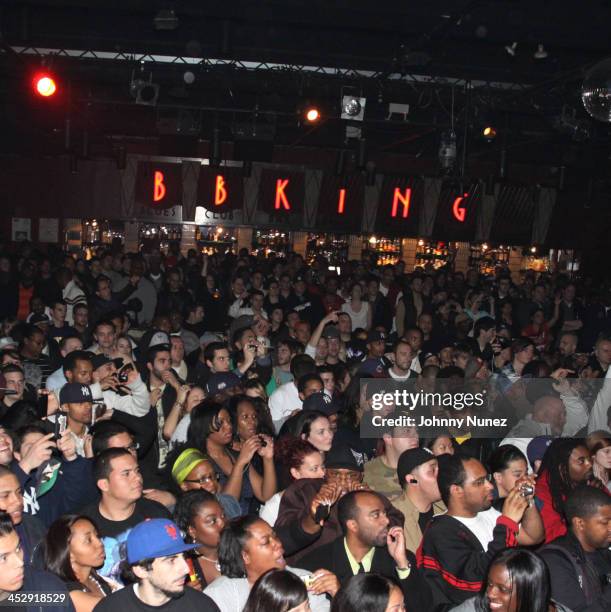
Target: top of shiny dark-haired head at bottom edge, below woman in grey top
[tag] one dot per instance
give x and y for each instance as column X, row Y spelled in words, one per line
column 278, row 591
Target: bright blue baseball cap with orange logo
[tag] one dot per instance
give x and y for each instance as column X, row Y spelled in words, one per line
column 155, row 538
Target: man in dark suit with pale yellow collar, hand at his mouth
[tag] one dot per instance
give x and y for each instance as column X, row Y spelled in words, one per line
column 369, row 545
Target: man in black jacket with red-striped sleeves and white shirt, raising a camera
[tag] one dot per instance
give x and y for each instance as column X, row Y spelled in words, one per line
column 457, row 546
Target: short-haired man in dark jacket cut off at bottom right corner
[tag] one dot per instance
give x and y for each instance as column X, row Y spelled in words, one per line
column 580, row 562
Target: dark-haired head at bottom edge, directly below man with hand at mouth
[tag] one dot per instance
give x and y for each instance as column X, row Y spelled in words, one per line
column 369, row 592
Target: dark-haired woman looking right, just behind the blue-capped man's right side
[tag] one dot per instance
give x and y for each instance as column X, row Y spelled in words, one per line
column 201, row 518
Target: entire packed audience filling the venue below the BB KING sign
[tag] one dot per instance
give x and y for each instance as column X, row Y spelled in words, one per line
column 185, row 432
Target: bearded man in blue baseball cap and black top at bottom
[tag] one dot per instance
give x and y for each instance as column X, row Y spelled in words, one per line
column 157, row 567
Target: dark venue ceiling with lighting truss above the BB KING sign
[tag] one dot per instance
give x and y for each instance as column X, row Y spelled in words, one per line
column 250, row 69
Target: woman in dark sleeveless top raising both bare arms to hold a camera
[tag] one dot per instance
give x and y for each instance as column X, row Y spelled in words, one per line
column 211, row 431
